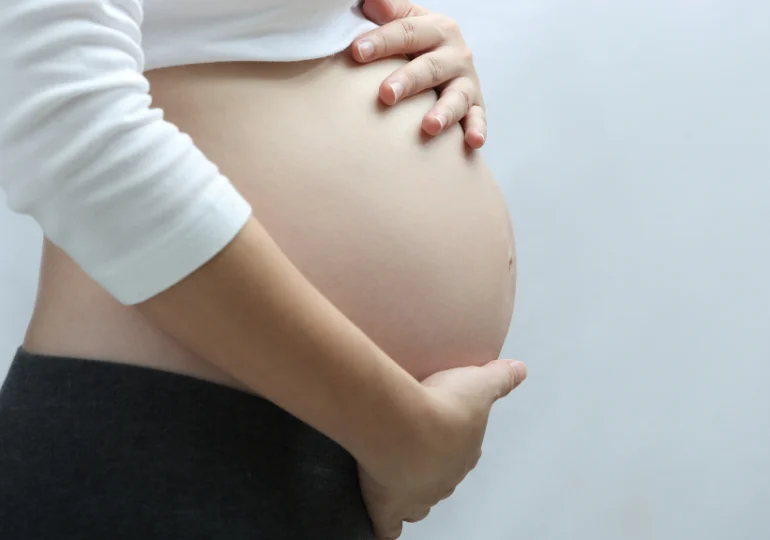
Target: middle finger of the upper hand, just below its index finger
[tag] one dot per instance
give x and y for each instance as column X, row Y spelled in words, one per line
column 425, row 72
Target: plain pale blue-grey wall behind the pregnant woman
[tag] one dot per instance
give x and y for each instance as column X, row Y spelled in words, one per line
column 632, row 139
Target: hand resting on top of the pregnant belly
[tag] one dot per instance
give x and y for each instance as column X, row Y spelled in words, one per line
column 440, row 59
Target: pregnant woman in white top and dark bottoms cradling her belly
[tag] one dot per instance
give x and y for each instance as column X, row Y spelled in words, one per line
column 270, row 304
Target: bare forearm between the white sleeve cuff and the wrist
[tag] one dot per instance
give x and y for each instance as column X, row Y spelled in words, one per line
column 321, row 367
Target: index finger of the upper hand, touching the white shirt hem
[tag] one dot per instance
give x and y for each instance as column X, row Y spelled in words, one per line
column 411, row 35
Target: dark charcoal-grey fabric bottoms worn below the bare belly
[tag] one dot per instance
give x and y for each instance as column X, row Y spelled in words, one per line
column 92, row 450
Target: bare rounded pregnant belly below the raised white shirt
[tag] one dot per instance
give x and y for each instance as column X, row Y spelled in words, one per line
column 408, row 236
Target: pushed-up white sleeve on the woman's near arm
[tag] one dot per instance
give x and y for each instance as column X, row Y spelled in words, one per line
column 120, row 190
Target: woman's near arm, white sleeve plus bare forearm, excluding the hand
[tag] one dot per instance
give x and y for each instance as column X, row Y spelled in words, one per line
column 138, row 207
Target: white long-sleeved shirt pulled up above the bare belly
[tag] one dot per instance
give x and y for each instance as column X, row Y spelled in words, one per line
column 120, row 190
